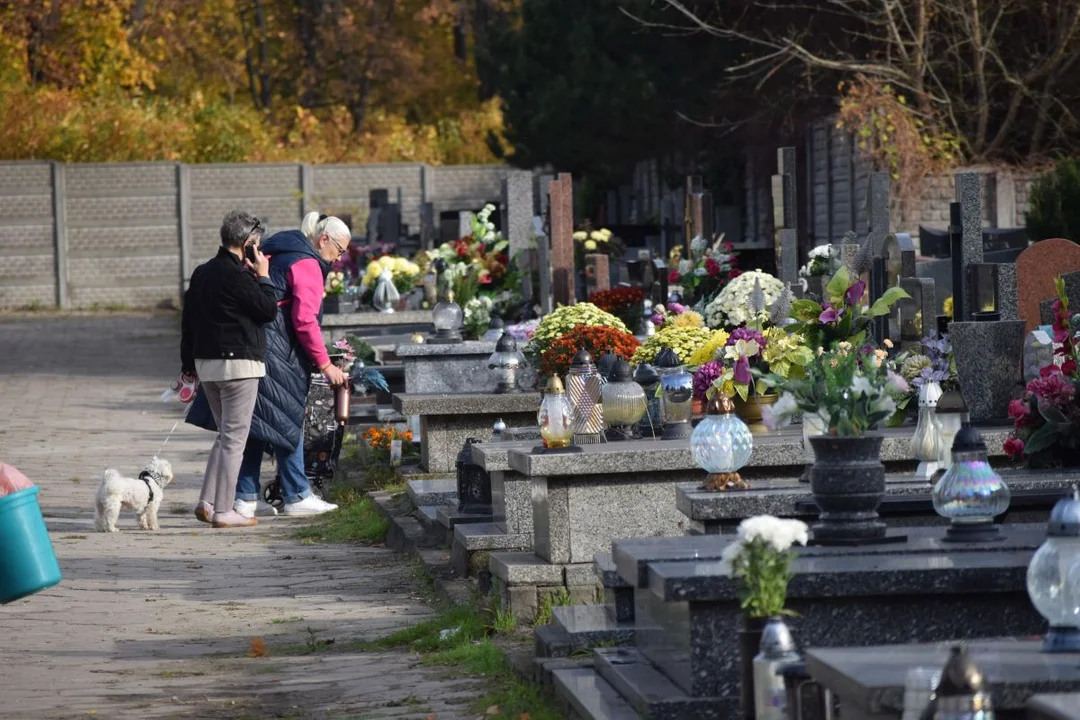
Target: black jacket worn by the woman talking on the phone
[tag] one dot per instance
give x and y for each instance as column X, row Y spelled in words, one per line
column 224, row 313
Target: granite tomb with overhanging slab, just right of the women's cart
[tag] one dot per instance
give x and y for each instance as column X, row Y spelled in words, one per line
column 448, row 420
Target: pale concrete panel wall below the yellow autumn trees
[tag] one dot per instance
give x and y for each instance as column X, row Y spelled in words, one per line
column 129, row 235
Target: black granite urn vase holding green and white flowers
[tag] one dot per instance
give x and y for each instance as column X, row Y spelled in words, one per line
column 848, row 484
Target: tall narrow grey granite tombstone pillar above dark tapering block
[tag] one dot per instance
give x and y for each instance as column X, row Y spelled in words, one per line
column 966, row 236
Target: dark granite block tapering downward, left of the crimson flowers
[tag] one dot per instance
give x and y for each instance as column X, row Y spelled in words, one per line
column 989, row 365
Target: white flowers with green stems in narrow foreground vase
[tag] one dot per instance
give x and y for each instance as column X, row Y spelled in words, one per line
column 761, row 561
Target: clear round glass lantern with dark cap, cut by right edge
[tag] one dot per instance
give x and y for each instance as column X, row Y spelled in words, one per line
column 1054, row 577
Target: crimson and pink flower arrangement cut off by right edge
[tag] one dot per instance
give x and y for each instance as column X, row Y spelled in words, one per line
column 1047, row 419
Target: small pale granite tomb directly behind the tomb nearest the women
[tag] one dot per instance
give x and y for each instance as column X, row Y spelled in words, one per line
column 448, row 369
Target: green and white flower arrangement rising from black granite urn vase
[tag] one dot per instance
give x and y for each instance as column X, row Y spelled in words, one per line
column 849, row 389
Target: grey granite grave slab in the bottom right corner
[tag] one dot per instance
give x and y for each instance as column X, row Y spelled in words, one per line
column 870, row 682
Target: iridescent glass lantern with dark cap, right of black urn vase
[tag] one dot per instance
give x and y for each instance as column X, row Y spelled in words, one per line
column 970, row 495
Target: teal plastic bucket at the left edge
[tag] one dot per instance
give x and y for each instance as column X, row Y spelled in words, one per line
column 28, row 562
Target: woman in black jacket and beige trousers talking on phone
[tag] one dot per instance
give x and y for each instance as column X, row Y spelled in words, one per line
column 224, row 346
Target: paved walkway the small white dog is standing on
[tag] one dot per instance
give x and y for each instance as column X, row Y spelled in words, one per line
column 159, row 624
